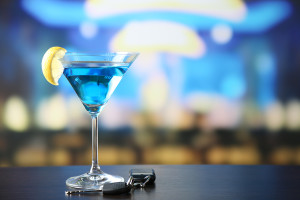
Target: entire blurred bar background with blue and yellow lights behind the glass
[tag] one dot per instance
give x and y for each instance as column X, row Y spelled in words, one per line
column 216, row 82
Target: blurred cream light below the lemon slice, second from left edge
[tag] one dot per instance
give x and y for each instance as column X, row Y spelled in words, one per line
column 52, row 113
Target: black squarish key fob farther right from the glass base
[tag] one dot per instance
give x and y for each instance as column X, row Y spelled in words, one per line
column 140, row 175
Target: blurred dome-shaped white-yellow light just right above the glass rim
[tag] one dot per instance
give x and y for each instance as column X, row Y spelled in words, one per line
column 158, row 36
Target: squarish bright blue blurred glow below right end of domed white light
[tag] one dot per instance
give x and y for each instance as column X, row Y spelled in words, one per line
column 216, row 73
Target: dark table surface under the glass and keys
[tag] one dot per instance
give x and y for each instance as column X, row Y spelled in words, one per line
column 173, row 182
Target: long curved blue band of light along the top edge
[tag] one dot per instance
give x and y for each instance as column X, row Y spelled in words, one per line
column 260, row 16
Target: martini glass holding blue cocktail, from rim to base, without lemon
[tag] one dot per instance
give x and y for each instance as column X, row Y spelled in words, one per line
column 94, row 77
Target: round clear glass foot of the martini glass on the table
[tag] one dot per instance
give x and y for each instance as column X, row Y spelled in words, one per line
column 92, row 181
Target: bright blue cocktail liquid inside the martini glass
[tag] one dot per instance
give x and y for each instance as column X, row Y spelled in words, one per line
column 94, row 82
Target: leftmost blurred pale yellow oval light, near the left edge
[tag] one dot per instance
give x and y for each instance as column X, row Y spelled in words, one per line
column 16, row 114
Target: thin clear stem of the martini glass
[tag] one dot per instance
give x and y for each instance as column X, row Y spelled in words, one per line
column 95, row 168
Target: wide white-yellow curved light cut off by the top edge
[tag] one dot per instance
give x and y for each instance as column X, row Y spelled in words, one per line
column 233, row 10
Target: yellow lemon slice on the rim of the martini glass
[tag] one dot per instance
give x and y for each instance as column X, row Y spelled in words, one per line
column 51, row 65
